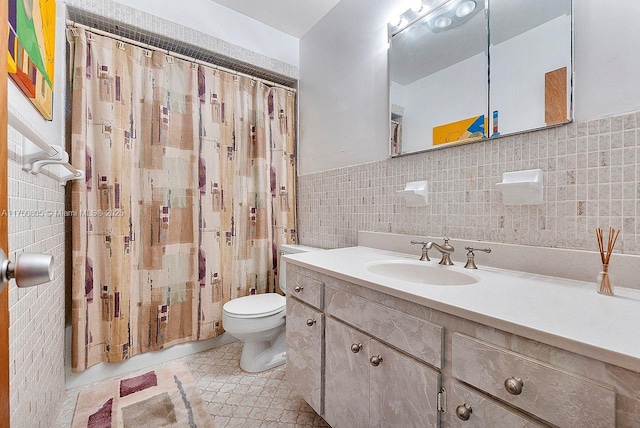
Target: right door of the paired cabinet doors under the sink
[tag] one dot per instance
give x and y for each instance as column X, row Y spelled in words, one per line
column 404, row 392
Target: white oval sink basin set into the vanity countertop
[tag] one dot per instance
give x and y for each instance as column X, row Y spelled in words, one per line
column 419, row 272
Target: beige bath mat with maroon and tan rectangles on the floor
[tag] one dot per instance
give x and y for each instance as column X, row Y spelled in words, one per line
column 163, row 397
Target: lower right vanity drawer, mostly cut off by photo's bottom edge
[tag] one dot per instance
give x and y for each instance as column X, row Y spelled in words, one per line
column 483, row 411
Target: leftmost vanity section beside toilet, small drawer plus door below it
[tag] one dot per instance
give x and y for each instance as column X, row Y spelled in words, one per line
column 305, row 340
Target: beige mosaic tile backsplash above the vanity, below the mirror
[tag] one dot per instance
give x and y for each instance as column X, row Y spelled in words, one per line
column 591, row 176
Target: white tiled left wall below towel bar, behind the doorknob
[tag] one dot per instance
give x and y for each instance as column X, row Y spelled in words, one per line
column 36, row 332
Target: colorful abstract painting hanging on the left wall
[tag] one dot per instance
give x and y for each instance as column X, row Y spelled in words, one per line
column 32, row 30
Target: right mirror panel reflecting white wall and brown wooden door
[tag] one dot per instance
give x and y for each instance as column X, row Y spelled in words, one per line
column 530, row 74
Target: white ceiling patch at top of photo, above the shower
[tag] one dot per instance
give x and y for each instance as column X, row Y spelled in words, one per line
column 294, row 17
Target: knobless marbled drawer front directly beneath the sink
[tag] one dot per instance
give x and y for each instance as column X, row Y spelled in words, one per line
column 417, row 337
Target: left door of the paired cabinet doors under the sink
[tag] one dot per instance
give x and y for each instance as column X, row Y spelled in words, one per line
column 346, row 376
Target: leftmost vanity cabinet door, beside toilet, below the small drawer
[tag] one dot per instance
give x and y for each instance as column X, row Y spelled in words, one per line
column 305, row 327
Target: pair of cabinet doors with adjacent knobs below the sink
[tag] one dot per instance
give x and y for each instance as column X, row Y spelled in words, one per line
column 369, row 384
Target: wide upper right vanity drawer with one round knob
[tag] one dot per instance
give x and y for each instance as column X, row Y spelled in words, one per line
column 557, row 396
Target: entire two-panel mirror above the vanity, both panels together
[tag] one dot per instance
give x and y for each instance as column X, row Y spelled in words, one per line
column 460, row 72
